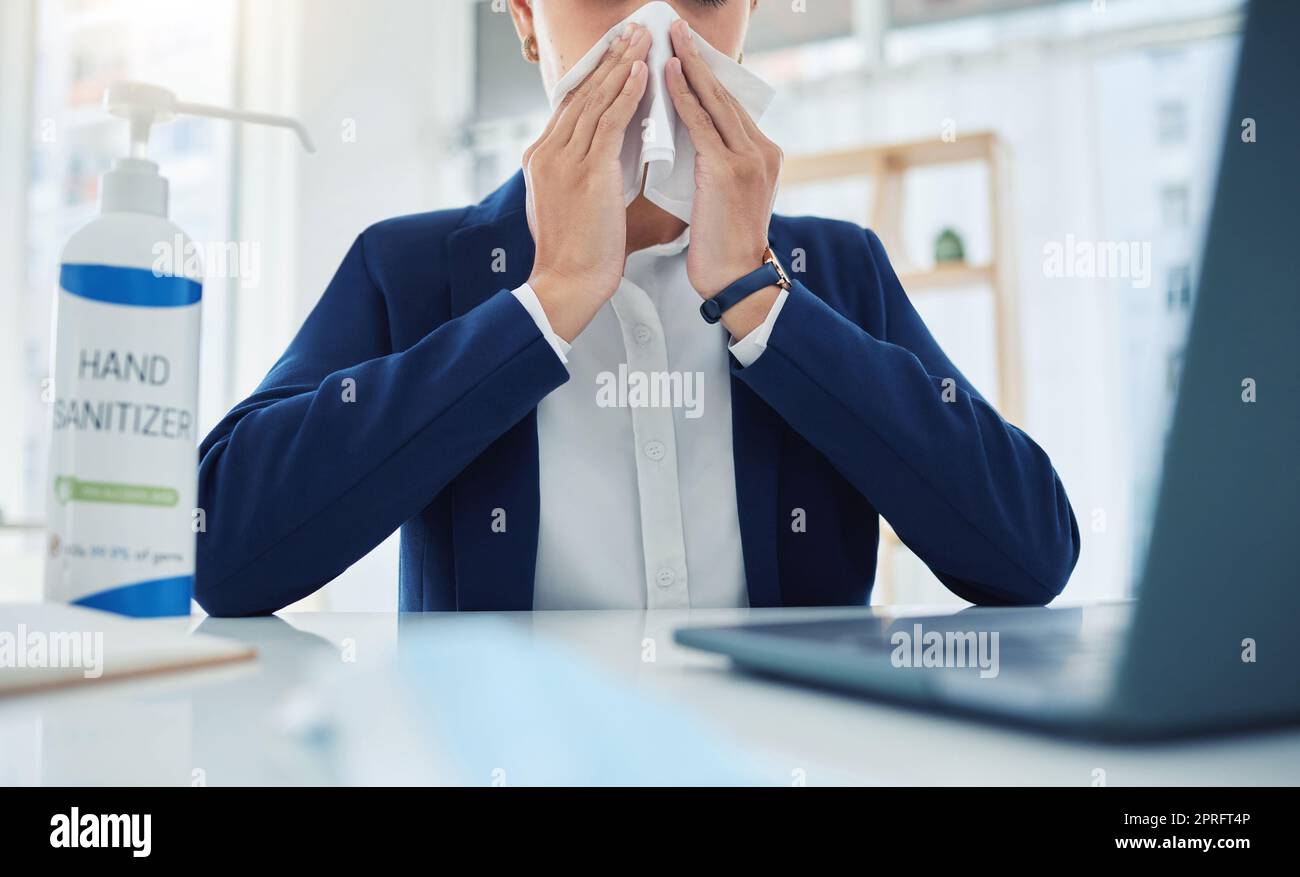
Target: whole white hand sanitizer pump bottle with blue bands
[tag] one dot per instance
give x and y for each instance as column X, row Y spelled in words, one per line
column 120, row 507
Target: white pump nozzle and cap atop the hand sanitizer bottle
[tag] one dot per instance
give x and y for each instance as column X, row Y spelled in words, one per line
column 135, row 183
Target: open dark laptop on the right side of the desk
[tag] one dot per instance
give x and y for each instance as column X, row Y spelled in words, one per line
column 1212, row 640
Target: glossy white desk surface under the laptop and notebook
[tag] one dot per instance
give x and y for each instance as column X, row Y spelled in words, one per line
column 259, row 724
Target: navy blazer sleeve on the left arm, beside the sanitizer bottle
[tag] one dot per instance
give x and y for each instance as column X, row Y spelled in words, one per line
column 346, row 440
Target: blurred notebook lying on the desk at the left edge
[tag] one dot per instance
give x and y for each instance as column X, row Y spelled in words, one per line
column 51, row 646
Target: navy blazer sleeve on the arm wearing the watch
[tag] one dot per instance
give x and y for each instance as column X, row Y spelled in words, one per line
column 970, row 494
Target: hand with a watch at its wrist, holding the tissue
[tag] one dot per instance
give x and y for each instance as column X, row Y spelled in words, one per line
column 738, row 170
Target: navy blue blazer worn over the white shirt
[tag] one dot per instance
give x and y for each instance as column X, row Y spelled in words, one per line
column 409, row 401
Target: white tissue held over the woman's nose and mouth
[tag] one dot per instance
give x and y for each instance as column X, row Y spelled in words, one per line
column 657, row 144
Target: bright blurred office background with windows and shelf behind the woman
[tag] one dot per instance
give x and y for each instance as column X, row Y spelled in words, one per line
column 1107, row 119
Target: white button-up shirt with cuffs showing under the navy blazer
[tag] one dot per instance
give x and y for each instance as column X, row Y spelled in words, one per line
column 638, row 477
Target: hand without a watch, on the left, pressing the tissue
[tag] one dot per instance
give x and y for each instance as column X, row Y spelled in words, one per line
column 575, row 189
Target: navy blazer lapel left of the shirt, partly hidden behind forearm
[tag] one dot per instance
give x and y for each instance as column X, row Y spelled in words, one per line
column 495, row 571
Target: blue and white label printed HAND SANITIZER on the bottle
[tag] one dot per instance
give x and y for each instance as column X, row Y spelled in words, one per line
column 123, row 468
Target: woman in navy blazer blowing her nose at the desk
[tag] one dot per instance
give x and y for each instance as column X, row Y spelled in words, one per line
column 454, row 383
